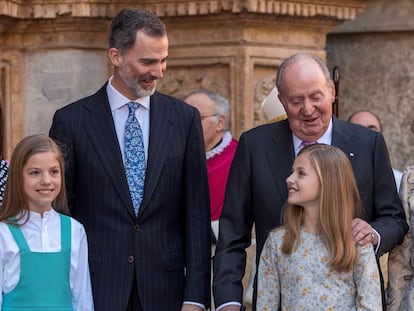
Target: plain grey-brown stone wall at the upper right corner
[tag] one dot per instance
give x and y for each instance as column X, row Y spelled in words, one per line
column 375, row 53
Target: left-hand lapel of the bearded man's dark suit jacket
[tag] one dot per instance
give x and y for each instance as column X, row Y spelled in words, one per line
column 100, row 128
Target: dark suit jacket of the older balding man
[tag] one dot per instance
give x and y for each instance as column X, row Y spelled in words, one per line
column 256, row 192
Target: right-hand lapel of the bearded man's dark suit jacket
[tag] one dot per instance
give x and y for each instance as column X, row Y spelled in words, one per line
column 160, row 128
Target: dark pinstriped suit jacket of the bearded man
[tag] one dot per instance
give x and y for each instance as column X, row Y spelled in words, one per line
column 168, row 244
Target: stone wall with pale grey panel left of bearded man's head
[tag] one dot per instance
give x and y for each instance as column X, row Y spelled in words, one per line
column 46, row 64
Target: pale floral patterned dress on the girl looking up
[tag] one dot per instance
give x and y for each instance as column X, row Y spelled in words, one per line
column 304, row 280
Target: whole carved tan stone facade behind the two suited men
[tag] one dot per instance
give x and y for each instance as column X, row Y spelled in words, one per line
column 54, row 52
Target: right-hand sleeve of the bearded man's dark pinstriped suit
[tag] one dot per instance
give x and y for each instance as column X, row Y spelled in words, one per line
column 197, row 219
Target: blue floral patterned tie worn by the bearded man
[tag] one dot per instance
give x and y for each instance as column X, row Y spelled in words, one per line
column 135, row 164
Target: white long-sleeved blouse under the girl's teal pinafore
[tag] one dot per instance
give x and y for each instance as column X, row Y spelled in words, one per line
column 43, row 235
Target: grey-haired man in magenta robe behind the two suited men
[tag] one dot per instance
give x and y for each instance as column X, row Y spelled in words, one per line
column 219, row 144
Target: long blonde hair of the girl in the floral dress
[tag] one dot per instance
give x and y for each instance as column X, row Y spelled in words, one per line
column 339, row 204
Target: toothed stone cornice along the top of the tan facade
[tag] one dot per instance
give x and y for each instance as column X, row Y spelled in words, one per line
column 341, row 10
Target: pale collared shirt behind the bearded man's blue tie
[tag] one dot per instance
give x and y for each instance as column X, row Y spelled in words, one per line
column 120, row 111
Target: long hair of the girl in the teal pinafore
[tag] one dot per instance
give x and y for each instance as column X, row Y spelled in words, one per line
column 15, row 200
